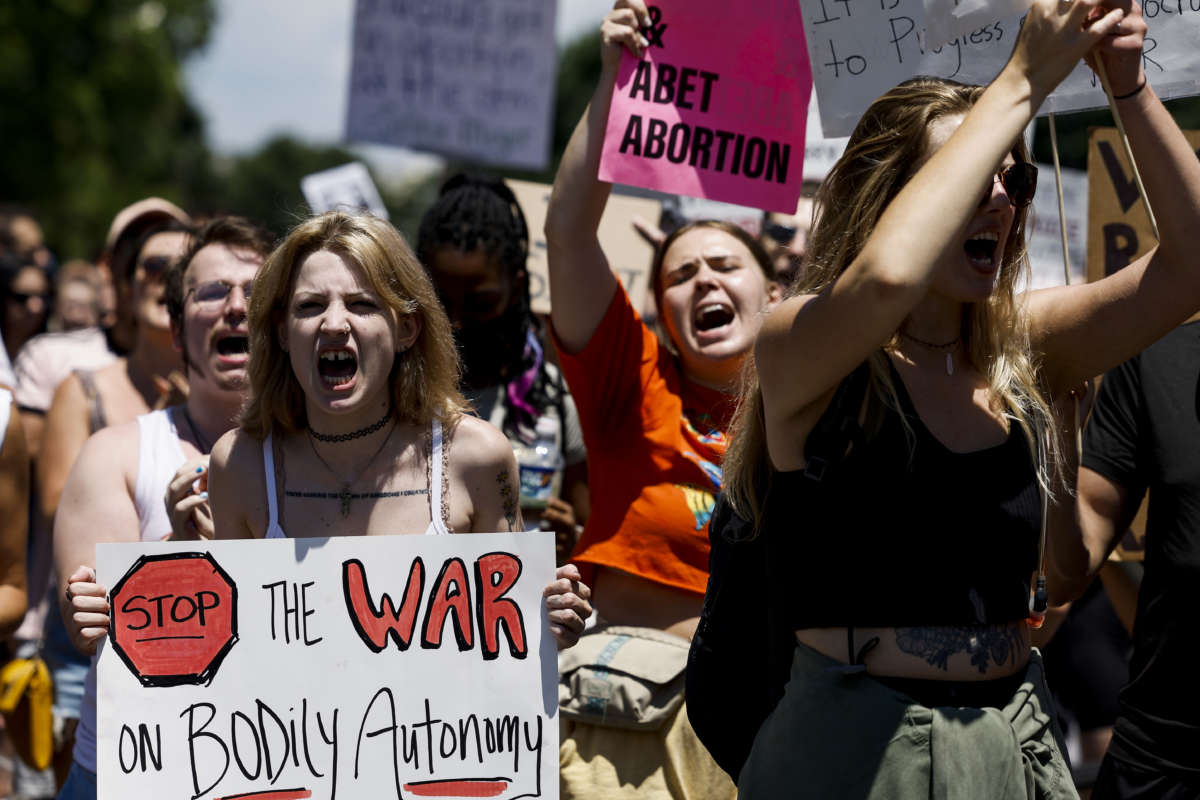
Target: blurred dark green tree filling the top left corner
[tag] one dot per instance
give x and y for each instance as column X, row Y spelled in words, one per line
column 95, row 113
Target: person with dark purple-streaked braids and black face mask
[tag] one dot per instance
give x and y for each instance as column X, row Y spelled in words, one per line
column 475, row 244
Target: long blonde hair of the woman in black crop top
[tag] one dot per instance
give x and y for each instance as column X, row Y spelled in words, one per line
column 883, row 155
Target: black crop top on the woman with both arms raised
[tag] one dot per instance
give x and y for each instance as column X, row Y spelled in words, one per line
column 908, row 533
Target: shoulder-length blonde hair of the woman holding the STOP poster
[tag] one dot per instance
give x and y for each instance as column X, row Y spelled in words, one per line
column 424, row 378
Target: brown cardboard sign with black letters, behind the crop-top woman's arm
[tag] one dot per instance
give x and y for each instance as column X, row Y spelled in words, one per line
column 1118, row 231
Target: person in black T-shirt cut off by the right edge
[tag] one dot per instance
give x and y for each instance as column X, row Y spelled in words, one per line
column 1145, row 437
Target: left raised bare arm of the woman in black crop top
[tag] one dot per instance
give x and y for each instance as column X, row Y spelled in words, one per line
column 811, row 342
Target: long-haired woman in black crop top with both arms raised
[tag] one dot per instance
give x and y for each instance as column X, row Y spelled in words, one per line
column 907, row 570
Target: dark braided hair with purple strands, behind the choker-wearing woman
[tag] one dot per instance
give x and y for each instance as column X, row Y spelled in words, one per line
column 482, row 214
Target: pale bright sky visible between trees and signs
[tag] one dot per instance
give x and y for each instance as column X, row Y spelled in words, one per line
column 277, row 67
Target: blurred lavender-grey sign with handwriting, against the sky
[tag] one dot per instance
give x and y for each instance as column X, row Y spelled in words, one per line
column 464, row 79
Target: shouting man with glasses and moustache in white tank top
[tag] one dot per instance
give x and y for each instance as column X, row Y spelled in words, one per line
column 118, row 488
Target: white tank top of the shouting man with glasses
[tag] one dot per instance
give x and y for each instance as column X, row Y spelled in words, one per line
column 159, row 458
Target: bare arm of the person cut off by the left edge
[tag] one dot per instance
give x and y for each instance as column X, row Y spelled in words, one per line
column 14, row 524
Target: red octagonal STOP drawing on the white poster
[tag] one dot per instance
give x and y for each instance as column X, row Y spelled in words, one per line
column 175, row 618
